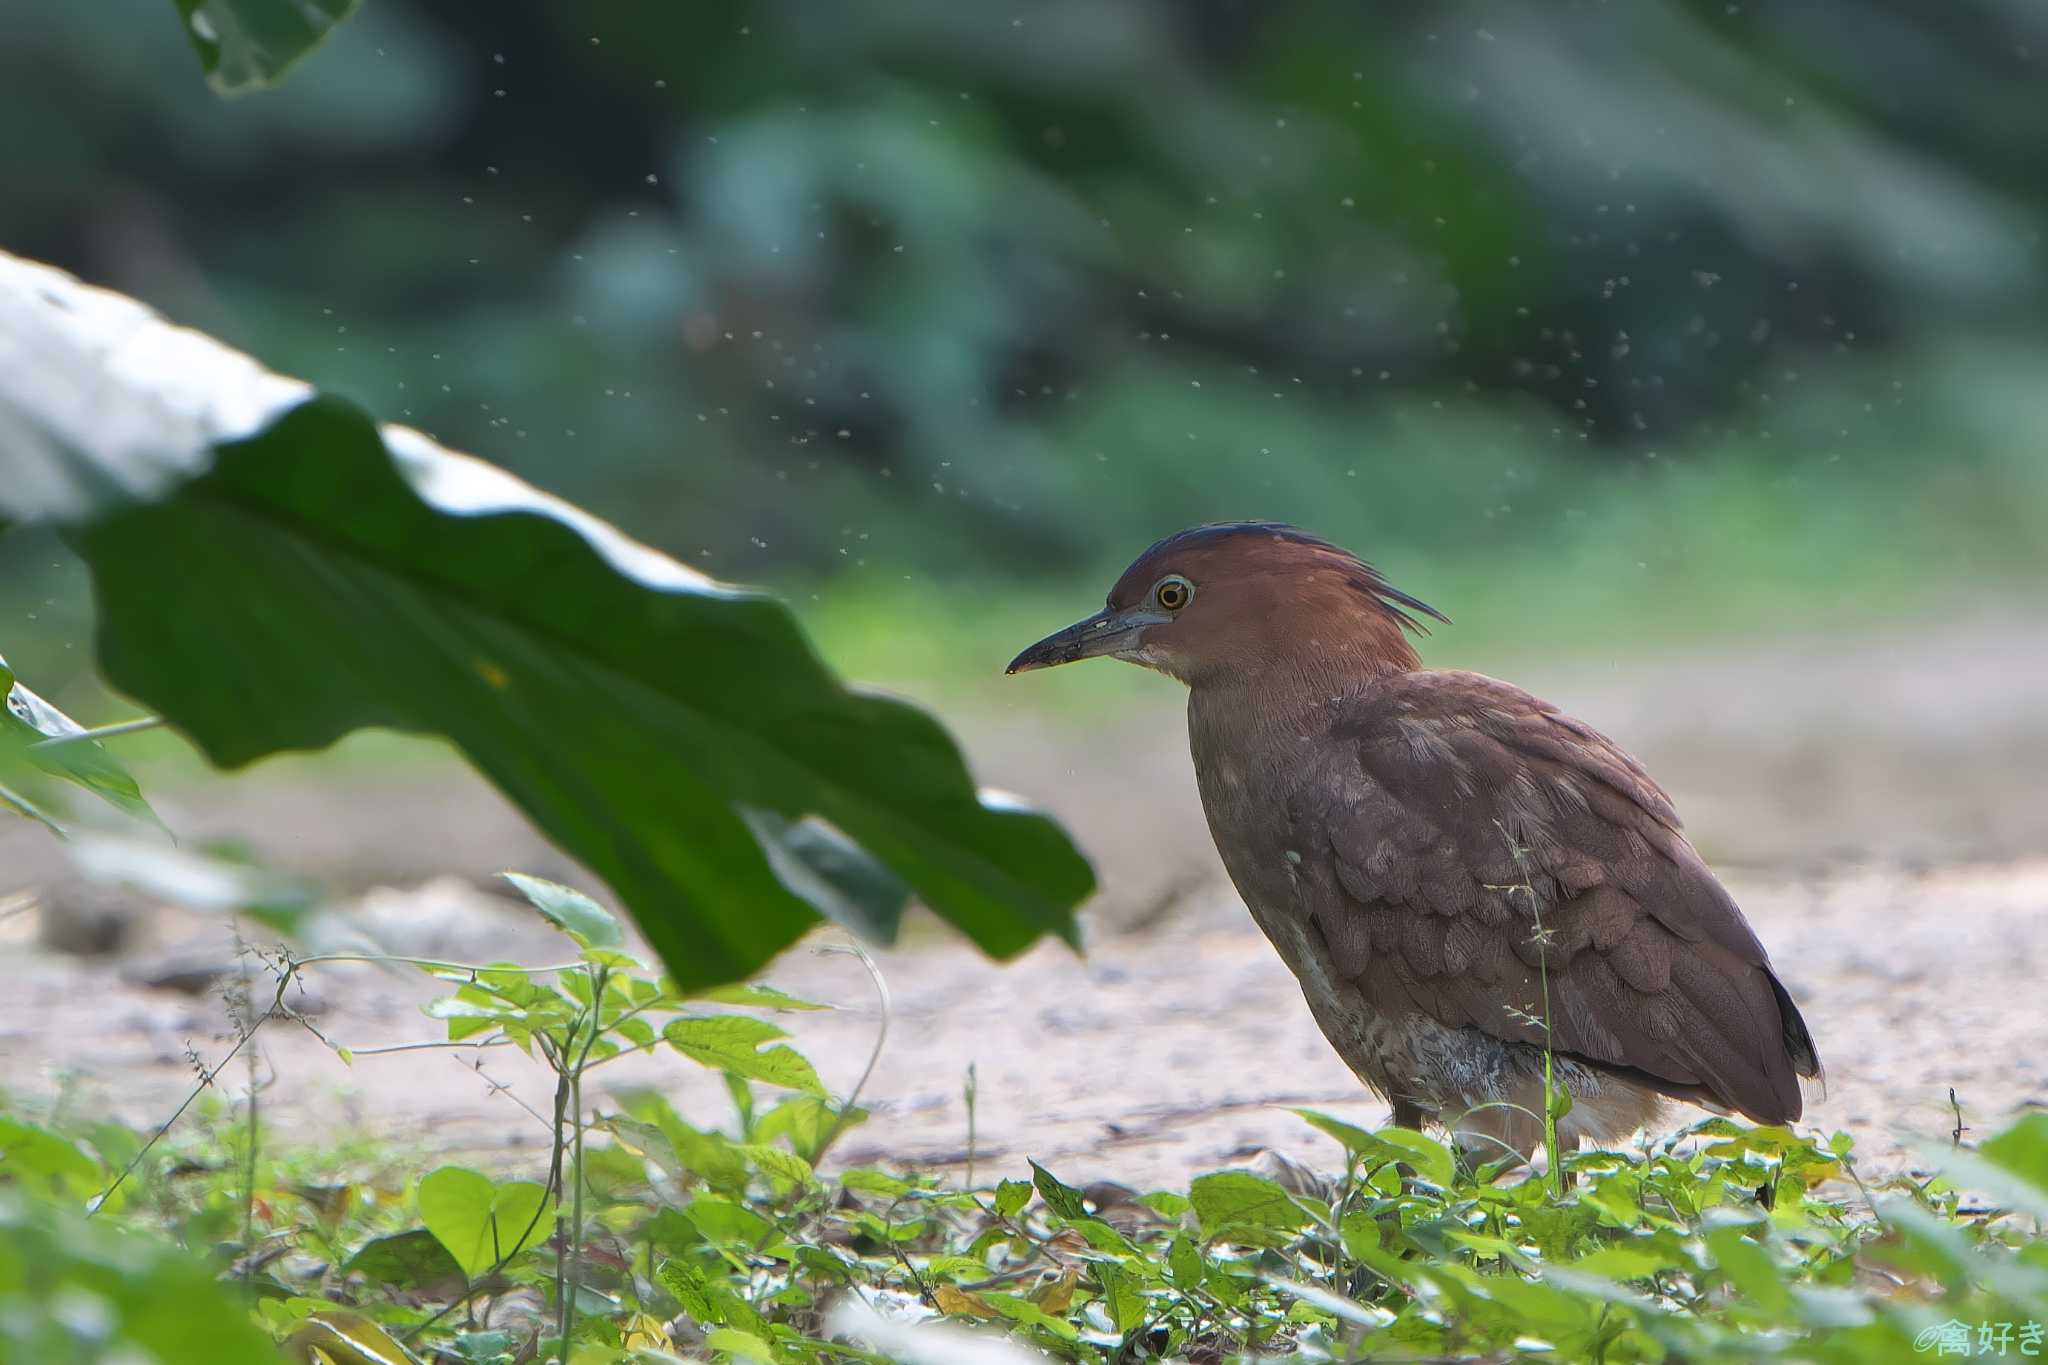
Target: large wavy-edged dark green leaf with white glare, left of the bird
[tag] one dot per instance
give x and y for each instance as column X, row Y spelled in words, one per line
column 325, row 576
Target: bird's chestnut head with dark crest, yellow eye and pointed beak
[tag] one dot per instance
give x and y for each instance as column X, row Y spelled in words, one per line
column 1230, row 603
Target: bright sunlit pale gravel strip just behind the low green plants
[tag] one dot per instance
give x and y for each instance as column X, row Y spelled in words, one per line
column 1160, row 1055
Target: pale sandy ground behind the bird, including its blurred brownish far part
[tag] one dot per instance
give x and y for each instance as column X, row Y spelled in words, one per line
column 1877, row 805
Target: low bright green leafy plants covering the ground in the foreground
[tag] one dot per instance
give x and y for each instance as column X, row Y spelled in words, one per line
column 646, row 1239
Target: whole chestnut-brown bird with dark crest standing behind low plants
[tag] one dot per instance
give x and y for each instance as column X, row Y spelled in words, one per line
column 1449, row 865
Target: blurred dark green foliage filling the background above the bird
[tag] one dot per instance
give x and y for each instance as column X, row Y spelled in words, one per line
column 792, row 285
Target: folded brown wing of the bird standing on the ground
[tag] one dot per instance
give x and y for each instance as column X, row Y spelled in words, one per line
column 1455, row 811
